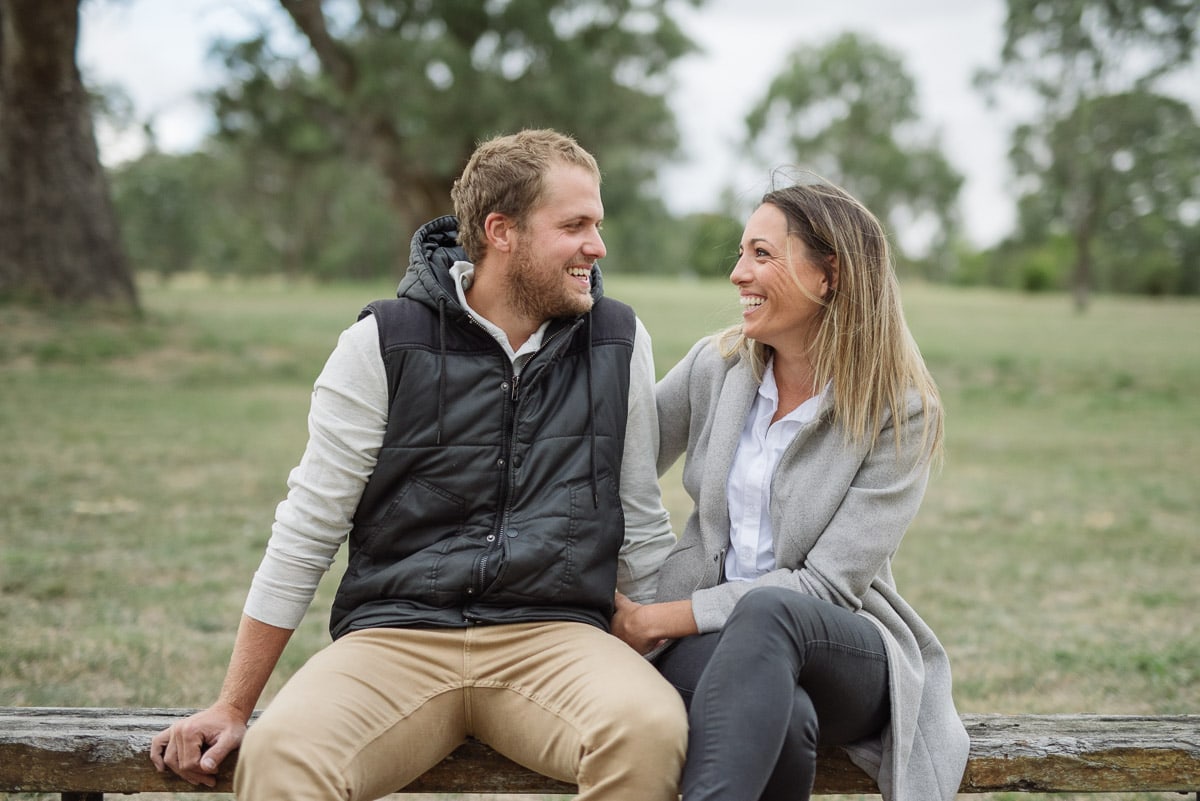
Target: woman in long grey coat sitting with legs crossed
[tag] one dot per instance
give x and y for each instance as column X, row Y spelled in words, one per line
column 809, row 432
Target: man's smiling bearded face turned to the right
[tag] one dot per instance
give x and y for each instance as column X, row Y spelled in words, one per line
column 550, row 272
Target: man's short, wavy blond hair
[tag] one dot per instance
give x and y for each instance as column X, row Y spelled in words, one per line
column 506, row 176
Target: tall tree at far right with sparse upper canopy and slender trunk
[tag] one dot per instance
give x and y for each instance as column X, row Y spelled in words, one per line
column 1090, row 65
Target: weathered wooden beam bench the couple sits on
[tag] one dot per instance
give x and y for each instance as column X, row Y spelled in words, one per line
column 83, row 754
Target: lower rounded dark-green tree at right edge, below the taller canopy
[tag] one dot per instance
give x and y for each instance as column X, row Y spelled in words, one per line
column 1121, row 173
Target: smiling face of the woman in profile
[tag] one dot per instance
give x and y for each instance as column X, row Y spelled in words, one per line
column 776, row 311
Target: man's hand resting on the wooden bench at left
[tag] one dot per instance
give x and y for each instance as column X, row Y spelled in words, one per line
column 196, row 746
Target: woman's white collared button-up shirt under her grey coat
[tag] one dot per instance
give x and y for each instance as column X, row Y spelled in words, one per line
column 752, row 537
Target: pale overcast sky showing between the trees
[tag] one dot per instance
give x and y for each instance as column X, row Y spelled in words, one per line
column 157, row 50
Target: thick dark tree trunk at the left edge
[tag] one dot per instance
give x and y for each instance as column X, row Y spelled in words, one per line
column 59, row 237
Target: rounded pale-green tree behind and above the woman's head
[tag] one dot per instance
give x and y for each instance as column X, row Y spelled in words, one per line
column 848, row 110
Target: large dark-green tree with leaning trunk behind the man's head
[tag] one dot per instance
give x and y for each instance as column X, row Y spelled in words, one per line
column 411, row 88
